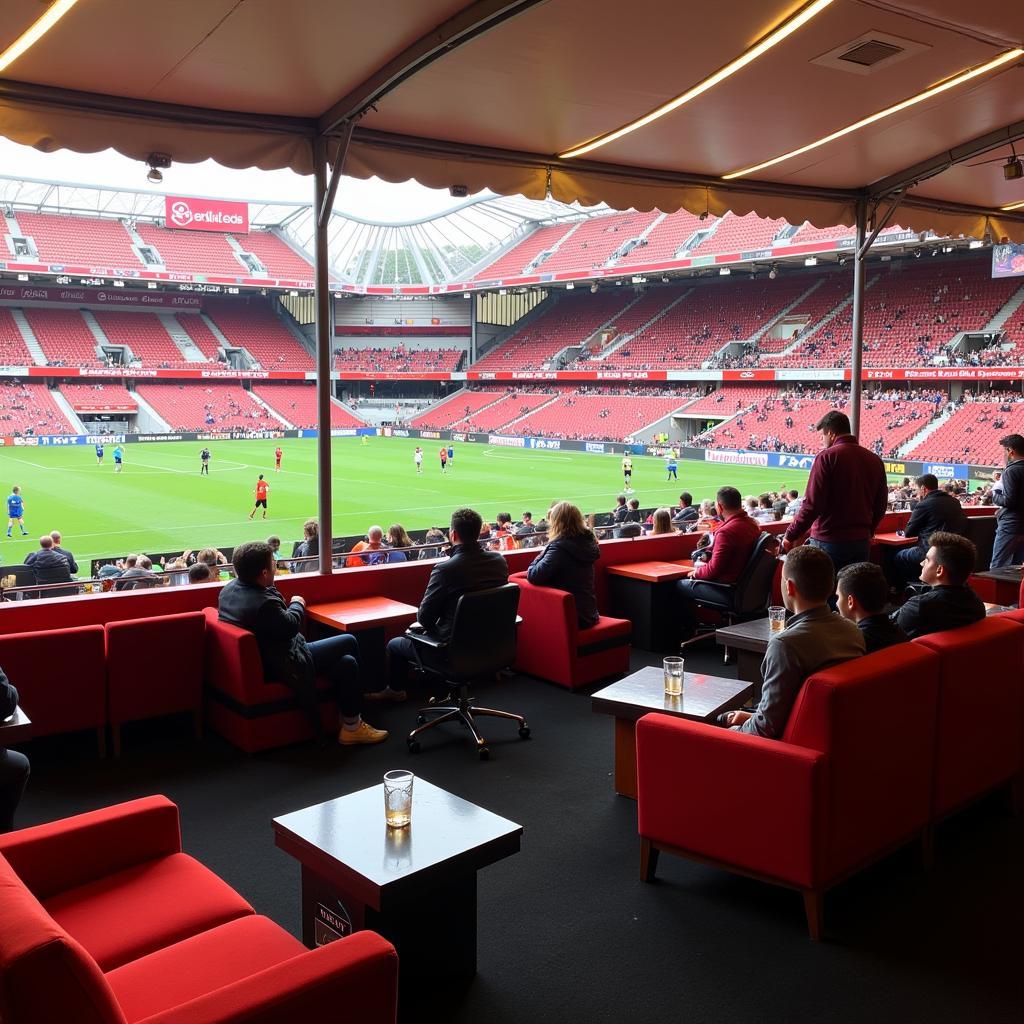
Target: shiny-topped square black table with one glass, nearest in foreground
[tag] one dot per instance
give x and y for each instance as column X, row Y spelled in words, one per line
column 415, row 886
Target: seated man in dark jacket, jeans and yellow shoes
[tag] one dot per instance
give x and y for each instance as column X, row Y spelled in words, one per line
column 252, row 603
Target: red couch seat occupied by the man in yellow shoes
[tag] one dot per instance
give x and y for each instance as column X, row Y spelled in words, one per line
column 253, row 714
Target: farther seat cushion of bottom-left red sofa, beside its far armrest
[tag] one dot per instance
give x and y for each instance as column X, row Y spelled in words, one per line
column 144, row 909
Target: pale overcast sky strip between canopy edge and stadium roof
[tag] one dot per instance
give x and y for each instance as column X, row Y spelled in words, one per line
column 372, row 200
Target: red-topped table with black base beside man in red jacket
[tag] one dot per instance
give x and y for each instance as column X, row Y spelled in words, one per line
column 642, row 592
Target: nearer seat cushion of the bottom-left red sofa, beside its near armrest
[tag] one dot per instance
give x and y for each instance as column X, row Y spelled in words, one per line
column 201, row 964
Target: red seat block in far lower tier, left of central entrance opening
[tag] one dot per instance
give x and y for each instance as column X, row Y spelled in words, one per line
column 599, row 416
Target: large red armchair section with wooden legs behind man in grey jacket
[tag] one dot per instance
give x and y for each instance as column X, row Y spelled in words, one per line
column 849, row 782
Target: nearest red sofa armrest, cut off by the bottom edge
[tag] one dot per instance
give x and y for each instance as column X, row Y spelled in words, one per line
column 355, row 979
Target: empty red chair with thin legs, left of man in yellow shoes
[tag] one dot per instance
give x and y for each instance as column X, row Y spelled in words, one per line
column 154, row 668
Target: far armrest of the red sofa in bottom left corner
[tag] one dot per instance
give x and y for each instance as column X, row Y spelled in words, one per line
column 63, row 855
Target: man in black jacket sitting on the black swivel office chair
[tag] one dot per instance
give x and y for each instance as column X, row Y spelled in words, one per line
column 468, row 569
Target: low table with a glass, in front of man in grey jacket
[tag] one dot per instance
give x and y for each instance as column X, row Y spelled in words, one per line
column 705, row 698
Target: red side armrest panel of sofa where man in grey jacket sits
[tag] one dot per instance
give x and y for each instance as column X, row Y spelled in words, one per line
column 743, row 801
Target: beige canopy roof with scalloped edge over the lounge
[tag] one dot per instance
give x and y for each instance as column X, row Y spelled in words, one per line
column 487, row 95
